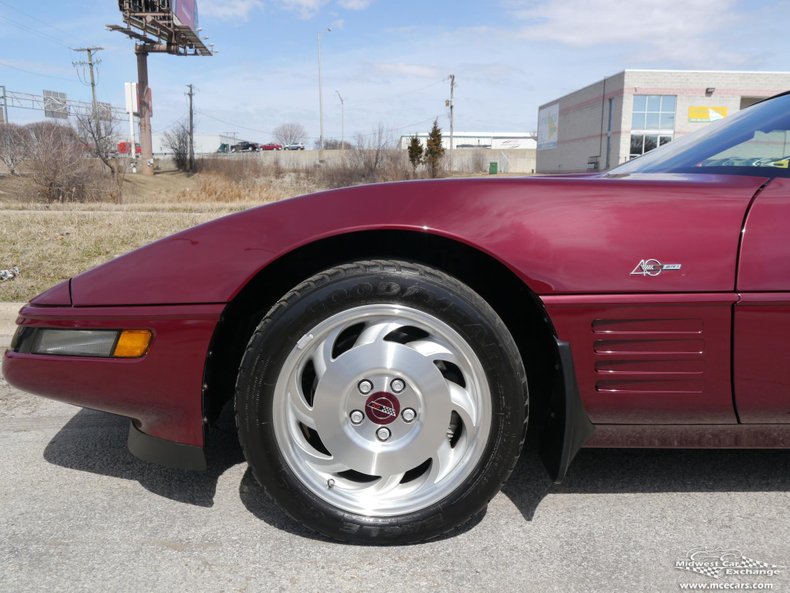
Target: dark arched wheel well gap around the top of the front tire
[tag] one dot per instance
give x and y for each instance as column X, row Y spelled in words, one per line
column 518, row 306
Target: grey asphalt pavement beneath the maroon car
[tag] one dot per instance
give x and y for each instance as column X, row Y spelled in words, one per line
column 79, row 513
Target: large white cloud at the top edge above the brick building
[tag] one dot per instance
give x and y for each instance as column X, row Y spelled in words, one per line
column 671, row 29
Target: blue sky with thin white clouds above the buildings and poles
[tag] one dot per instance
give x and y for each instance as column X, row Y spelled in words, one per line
column 390, row 59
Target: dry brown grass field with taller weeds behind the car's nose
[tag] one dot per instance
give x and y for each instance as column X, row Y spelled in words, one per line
column 50, row 242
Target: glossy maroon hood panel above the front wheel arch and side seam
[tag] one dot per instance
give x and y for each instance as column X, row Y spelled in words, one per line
column 558, row 235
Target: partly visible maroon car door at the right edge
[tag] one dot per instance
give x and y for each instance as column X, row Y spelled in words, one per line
column 761, row 360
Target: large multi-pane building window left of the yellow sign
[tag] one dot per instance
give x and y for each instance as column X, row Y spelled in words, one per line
column 652, row 122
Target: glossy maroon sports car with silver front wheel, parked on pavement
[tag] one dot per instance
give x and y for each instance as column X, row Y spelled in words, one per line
column 383, row 344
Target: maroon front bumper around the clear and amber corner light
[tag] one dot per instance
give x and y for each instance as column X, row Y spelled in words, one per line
column 161, row 392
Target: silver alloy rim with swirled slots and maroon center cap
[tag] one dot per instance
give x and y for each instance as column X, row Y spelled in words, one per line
column 348, row 464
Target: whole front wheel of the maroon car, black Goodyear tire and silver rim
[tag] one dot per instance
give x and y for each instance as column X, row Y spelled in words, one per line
column 489, row 424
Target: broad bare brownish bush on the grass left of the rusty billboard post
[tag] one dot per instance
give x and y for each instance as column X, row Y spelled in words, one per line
column 57, row 162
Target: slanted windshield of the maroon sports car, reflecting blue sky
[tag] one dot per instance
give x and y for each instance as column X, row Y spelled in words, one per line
column 755, row 141
